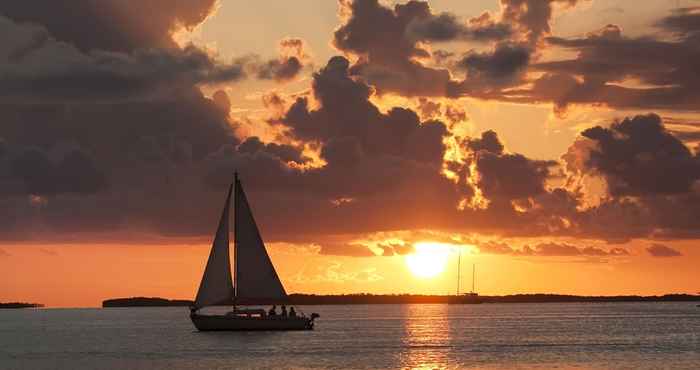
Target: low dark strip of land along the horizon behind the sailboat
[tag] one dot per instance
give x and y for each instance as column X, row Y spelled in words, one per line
column 349, row 299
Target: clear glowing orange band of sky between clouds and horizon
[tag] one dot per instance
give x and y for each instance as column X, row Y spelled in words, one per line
column 84, row 275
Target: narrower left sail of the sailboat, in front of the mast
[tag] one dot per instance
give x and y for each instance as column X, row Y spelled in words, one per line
column 216, row 286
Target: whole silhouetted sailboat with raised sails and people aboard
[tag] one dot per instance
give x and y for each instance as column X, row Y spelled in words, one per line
column 254, row 281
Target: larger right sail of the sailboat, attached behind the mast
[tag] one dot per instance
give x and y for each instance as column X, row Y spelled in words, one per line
column 256, row 279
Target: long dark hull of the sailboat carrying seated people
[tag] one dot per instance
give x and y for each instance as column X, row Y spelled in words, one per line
column 237, row 323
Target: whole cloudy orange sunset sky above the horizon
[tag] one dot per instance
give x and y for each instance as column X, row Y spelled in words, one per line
column 553, row 144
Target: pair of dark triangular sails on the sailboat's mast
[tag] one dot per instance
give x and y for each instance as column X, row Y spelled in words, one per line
column 256, row 280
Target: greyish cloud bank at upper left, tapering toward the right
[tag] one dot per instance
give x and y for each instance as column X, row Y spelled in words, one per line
column 38, row 68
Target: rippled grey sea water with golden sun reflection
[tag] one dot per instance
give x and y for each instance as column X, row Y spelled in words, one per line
column 487, row 336
